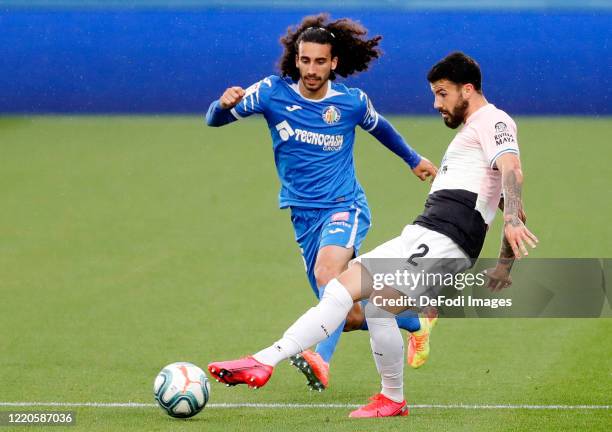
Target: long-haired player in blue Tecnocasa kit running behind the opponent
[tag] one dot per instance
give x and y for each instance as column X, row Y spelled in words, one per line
column 312, row 121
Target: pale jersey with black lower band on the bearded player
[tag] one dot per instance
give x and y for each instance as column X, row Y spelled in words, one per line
column 465, row 194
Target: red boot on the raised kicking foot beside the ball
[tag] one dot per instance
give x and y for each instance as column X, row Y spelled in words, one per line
column 243, row 371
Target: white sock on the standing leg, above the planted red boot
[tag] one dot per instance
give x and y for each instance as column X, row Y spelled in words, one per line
column 388, row 349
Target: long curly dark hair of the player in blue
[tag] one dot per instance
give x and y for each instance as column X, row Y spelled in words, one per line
column 346, row 37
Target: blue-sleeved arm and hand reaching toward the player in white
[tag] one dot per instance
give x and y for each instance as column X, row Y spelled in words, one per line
column 391, row 138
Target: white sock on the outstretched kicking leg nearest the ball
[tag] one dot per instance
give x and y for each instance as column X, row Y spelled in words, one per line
column 317, row 324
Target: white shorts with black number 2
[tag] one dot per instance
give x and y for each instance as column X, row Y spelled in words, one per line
column 418, row 250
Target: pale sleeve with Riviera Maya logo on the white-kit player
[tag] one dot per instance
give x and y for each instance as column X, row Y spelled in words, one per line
column 498, row 136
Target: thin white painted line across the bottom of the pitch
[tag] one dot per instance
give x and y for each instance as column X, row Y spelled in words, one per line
column 301, row 406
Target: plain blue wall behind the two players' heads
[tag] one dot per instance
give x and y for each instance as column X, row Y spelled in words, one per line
column 178, row 60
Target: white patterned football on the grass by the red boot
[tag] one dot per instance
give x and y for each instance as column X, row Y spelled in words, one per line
column 181, row 389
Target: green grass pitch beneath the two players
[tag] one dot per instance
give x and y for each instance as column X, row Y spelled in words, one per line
column 127, row 243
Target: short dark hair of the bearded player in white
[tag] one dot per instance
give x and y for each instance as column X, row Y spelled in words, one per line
column 459, row 68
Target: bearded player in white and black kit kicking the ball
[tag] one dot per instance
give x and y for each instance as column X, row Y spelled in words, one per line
column 480, row 162
